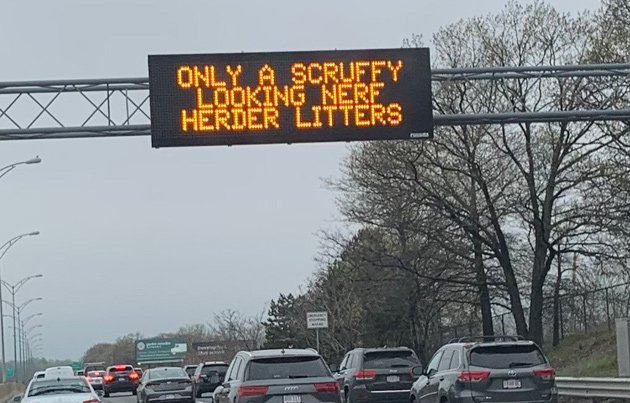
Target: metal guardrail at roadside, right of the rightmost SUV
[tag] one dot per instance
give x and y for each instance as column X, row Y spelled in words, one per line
column 608, row 388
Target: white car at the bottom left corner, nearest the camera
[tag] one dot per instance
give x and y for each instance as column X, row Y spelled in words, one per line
column 60, row 390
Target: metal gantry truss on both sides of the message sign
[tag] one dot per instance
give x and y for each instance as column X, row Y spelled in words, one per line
column 120, row 107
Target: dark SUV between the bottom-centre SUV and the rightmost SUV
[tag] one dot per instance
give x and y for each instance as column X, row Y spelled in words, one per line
column 377, row 374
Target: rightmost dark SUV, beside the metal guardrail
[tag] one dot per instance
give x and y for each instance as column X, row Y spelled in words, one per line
column 487, row 369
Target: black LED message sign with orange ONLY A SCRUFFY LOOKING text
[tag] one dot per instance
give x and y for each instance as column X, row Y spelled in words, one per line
column 290, row 97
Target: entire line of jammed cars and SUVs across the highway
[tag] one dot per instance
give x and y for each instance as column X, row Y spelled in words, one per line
column 471, row 369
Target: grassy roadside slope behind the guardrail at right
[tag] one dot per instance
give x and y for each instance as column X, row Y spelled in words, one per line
column 585, row 355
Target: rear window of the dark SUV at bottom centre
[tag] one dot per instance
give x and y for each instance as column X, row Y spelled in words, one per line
column 287, row 368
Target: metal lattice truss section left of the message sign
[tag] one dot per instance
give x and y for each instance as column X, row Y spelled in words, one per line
column 77, row 108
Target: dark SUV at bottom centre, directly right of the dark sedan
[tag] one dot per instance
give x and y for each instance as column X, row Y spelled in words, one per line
column 278, row 376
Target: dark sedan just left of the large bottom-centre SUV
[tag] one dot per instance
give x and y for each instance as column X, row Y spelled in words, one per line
column 165, row 384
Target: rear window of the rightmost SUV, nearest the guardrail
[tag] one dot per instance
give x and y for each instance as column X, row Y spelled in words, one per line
column 502, row 357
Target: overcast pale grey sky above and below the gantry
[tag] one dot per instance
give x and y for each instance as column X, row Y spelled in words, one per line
column 138, row 239
